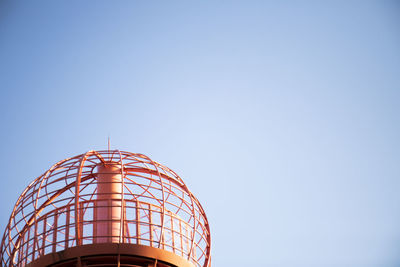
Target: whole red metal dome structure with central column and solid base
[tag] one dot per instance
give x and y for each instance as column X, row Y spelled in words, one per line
column 107, row 208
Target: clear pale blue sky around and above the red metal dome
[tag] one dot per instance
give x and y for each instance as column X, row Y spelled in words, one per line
column 282, row 117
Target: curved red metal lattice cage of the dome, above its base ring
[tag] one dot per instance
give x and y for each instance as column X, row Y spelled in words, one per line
column 58, row 210
